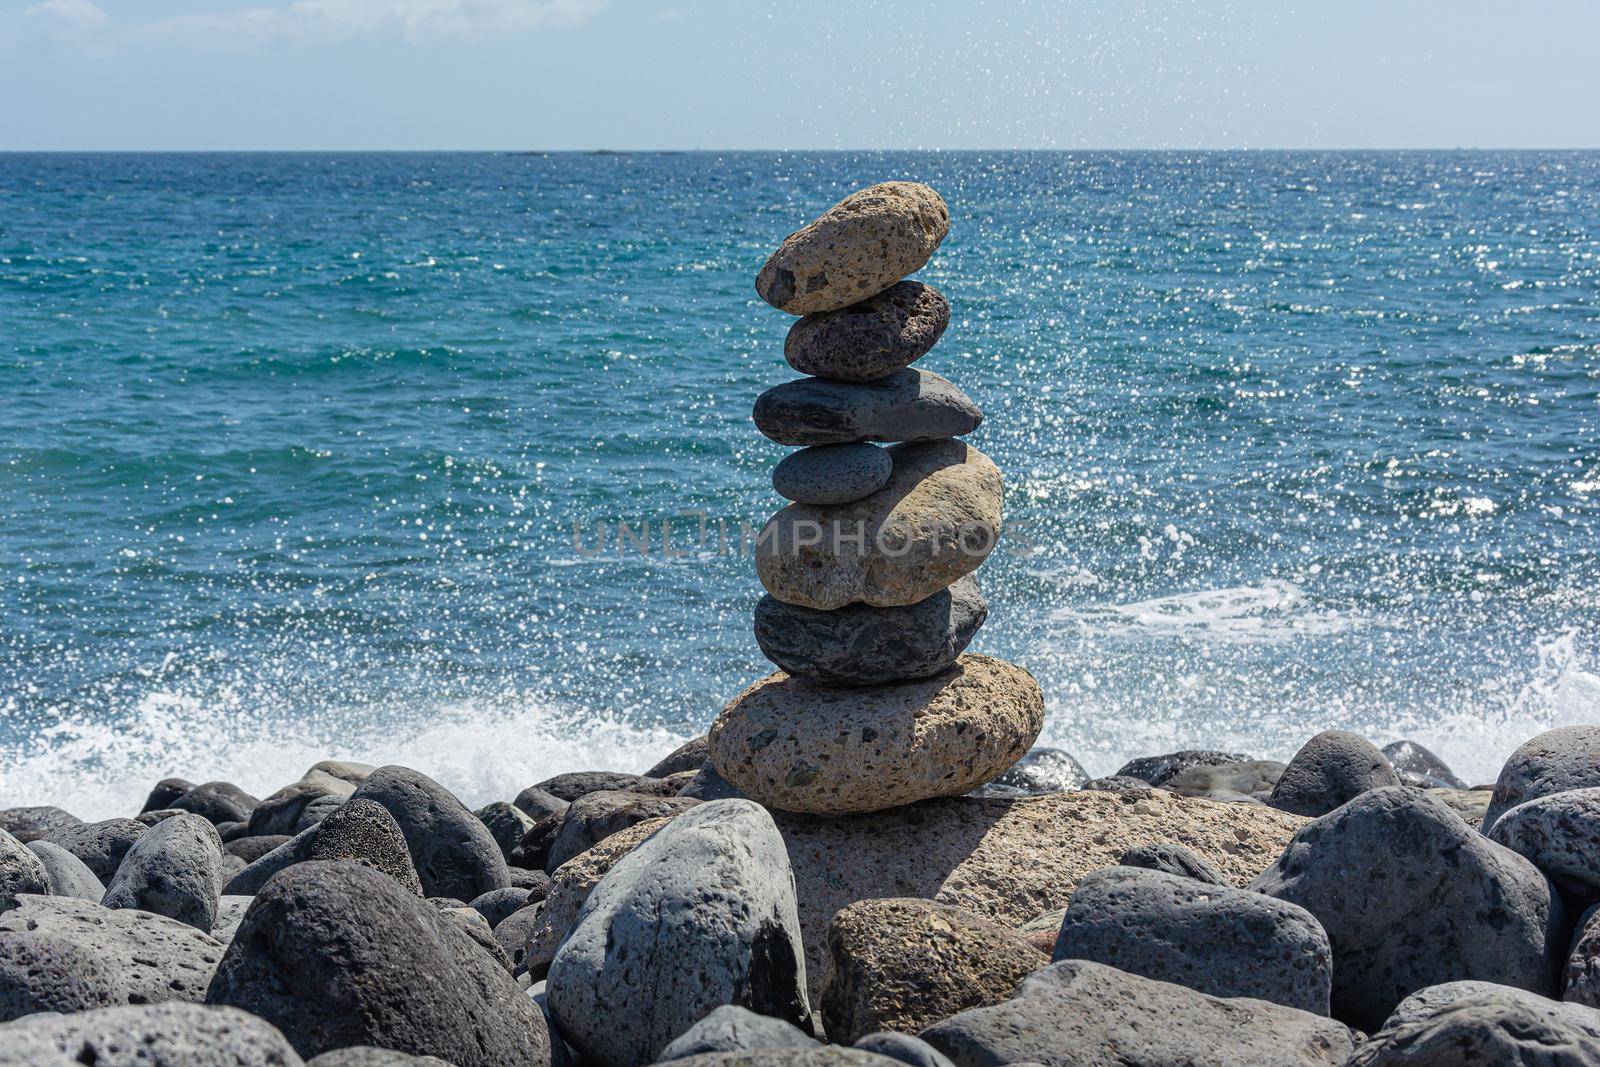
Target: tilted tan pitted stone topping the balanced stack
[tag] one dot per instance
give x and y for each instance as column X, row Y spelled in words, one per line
column 860, row 247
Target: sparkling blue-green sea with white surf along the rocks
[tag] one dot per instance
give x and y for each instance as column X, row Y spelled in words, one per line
column 311, row 455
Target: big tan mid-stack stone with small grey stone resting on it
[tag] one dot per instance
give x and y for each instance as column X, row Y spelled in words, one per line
column 935, row 521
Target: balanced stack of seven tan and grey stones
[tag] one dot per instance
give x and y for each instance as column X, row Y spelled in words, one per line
column 870, row 572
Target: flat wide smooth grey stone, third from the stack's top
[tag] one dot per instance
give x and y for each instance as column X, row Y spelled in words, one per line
column 908, row 406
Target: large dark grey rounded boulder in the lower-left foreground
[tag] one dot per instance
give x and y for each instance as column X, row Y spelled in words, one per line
column 306, row 959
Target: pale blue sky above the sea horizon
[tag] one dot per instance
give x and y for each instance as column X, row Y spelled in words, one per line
column 820, row 74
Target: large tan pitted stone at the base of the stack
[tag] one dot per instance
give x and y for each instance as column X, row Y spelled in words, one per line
column 801, row 746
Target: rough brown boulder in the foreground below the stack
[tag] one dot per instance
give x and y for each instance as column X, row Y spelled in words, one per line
column 908, row 964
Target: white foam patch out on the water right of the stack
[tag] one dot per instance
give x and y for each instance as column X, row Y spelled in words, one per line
column 1268, row 613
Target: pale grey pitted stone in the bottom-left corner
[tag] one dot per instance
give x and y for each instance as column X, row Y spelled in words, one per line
column 146, row 1036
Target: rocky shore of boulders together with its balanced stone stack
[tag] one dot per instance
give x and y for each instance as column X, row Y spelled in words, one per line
column 865, row 863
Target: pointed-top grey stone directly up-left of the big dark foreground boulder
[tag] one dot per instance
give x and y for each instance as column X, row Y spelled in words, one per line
column 174, row 871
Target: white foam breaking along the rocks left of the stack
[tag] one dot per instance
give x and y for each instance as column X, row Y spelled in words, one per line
column 482, row 753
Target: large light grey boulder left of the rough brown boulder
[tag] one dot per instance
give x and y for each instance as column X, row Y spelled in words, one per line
column 702, row 914
